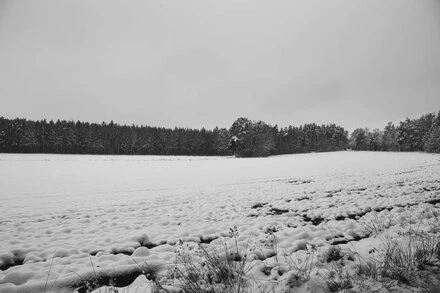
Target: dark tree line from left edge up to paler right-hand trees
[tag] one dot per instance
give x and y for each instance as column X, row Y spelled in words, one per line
column 245, row 138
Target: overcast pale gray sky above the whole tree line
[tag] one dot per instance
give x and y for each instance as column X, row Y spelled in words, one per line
column 204, row 63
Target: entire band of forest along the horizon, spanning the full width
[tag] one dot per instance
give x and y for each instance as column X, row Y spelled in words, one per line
column 245, row 138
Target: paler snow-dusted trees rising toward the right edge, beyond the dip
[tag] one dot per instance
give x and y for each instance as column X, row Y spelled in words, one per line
column 421, row 134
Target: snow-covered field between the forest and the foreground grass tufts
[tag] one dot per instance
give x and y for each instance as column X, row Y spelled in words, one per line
column 64, row 218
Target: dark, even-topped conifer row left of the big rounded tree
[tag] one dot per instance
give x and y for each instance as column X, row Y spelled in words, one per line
column 69, row 137
